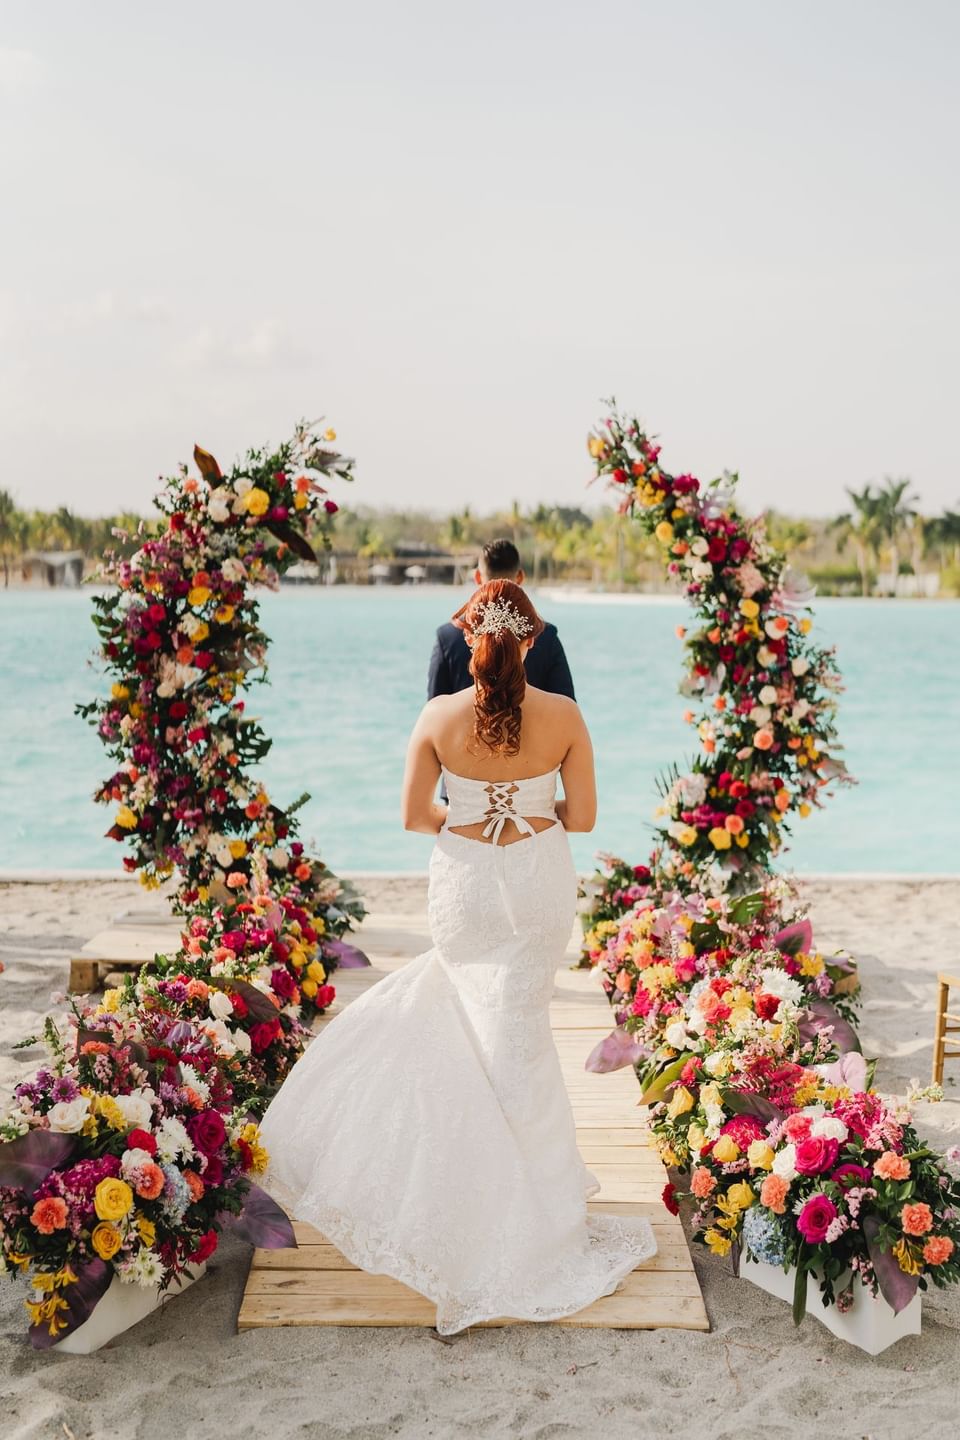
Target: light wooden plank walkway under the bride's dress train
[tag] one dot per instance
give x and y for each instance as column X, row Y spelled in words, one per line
column 317, row 1285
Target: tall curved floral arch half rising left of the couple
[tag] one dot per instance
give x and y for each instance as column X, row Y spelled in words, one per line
column 181, row 636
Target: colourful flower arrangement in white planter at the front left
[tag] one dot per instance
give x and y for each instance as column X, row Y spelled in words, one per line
column 126, row 1157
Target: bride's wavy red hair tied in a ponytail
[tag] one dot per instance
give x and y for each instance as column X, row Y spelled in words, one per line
column 497, row 665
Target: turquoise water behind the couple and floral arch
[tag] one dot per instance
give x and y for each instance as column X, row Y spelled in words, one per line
column 349, row 669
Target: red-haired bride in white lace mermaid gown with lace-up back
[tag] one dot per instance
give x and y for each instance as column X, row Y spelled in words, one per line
column 428, row 1131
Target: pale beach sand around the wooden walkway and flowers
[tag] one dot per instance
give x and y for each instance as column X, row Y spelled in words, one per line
column 186, row 1373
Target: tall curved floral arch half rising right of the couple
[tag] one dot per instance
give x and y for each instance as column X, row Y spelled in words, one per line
column 764, row 696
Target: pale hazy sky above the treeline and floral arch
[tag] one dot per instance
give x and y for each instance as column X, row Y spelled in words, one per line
column 453, row 230
